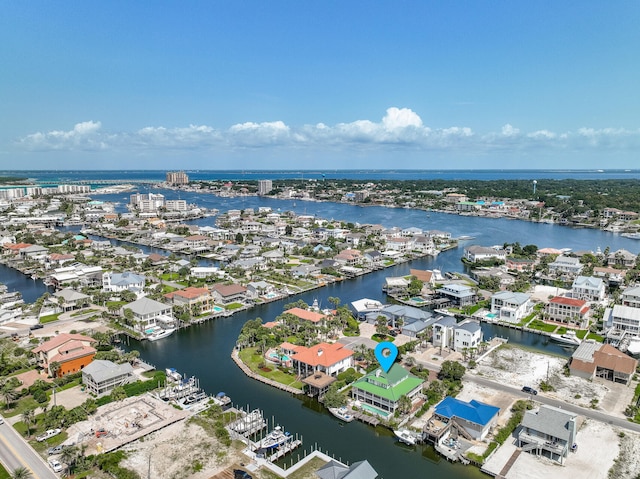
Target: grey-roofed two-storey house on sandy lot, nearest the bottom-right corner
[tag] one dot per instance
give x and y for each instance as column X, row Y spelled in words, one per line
column 548, row 431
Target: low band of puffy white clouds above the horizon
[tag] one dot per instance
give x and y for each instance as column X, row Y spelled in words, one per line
column 399, row 128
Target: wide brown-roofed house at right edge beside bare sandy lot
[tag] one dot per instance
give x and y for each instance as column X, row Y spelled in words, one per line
column 592, row 359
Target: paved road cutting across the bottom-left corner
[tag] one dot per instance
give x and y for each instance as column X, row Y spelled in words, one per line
column 16, row 452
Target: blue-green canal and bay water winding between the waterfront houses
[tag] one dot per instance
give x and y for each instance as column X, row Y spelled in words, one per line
column 204, row 350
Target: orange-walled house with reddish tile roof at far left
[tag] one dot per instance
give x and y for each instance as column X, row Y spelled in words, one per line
column 71, row 352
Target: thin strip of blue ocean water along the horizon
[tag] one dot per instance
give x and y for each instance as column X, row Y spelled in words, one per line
column 61, row 176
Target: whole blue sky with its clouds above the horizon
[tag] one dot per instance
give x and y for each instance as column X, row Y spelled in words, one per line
column 346, row 84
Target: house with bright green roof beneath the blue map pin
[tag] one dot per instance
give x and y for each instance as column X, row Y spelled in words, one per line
column 381, row 391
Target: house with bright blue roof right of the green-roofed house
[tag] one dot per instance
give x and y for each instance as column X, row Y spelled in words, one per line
column 472, row 419
